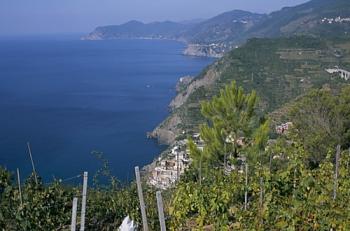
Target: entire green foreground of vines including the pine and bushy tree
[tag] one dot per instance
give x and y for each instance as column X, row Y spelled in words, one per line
column 298, row 181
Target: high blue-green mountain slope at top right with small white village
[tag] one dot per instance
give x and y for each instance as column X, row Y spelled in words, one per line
column 315, row 18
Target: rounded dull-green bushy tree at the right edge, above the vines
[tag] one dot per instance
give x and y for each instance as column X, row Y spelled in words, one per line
column 321, row 120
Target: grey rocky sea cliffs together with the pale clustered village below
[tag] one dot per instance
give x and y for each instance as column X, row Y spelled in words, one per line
column 166, row 169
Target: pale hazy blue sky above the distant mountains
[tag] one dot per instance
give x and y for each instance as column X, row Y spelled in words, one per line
column 56, row 16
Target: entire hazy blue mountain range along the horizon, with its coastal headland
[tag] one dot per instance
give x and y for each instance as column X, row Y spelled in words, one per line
column 215, row 36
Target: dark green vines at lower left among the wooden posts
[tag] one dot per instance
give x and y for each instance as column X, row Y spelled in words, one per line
column 49, row 207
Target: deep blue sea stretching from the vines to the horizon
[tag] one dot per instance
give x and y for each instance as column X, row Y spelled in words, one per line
column 69, row 97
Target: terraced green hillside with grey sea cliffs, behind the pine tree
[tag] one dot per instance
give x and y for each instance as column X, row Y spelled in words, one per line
column 279, row 69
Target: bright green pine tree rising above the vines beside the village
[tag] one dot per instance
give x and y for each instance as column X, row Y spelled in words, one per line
column 231, row 125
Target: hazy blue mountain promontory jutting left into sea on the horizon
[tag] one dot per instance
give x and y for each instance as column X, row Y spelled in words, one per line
column 222, row 28
